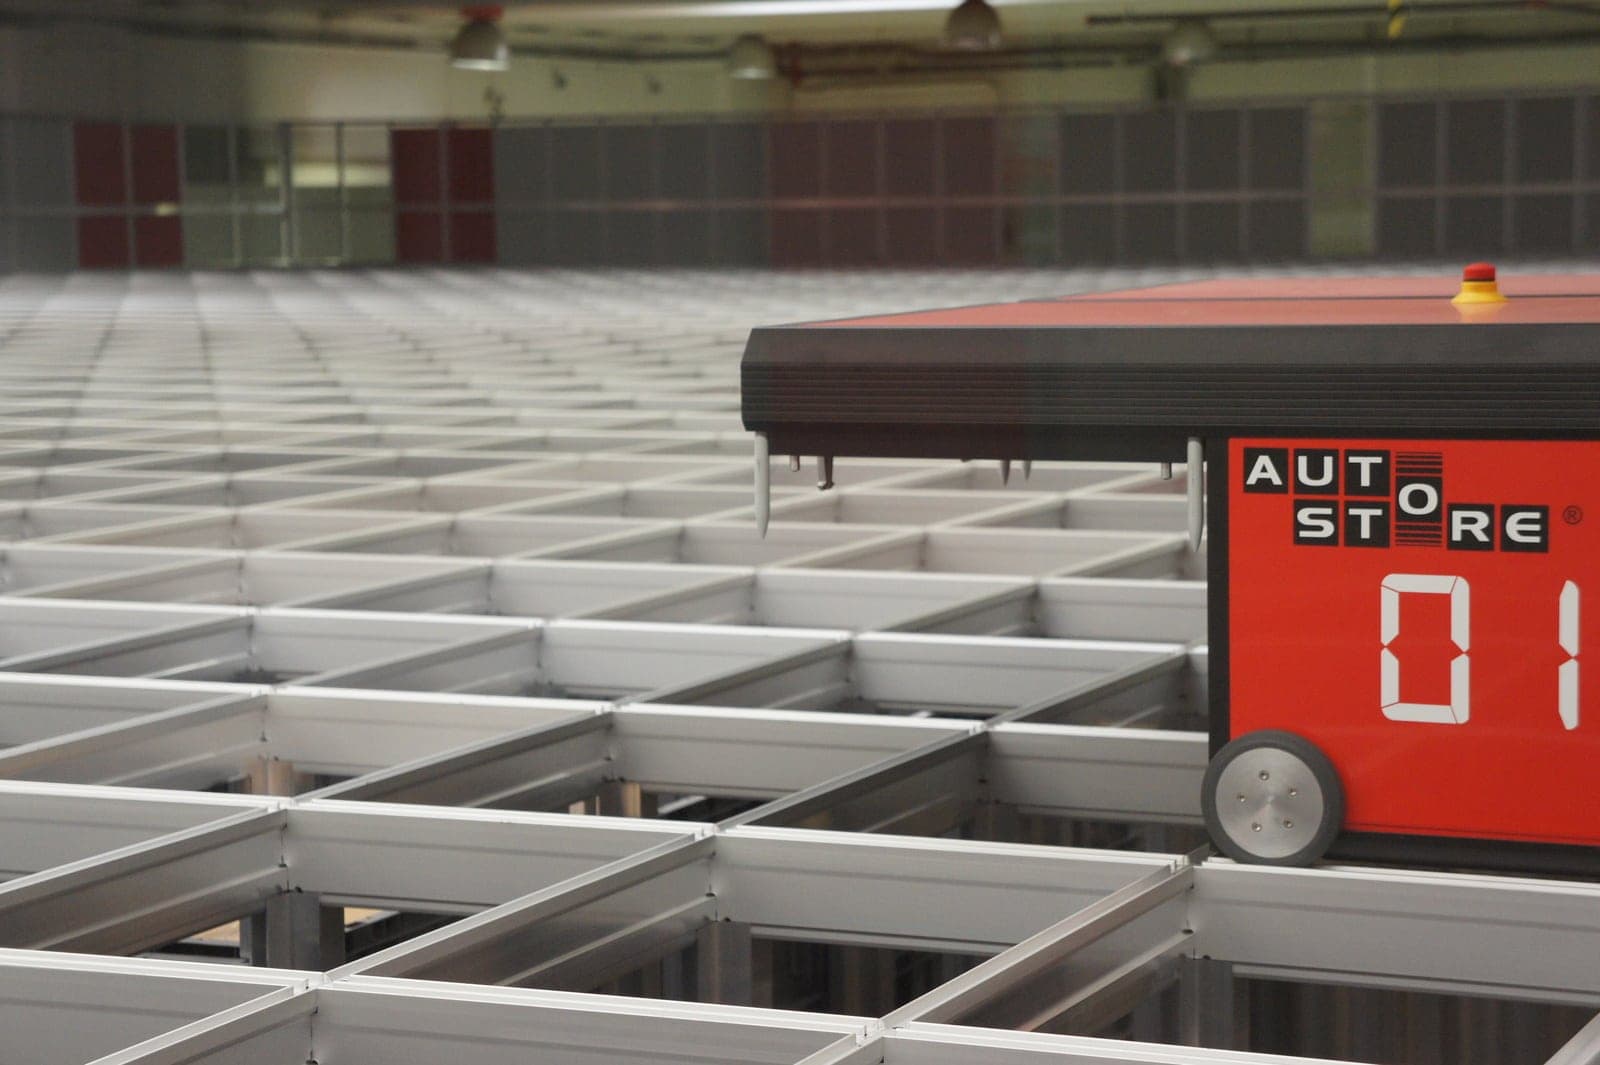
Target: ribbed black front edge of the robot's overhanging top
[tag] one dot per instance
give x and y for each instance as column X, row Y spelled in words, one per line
column 1394, row 381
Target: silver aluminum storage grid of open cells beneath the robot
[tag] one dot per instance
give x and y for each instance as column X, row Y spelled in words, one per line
column 407, row 637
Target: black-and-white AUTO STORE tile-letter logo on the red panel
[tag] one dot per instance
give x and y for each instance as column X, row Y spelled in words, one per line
column 1378, row 498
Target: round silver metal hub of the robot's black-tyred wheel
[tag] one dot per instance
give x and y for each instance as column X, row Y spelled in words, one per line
column 1270, row 802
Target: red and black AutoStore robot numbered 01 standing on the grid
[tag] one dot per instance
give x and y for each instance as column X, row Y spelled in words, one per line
column 1402, row 508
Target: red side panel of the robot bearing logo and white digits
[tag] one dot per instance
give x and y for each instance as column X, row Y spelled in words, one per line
column 1418, row 612
